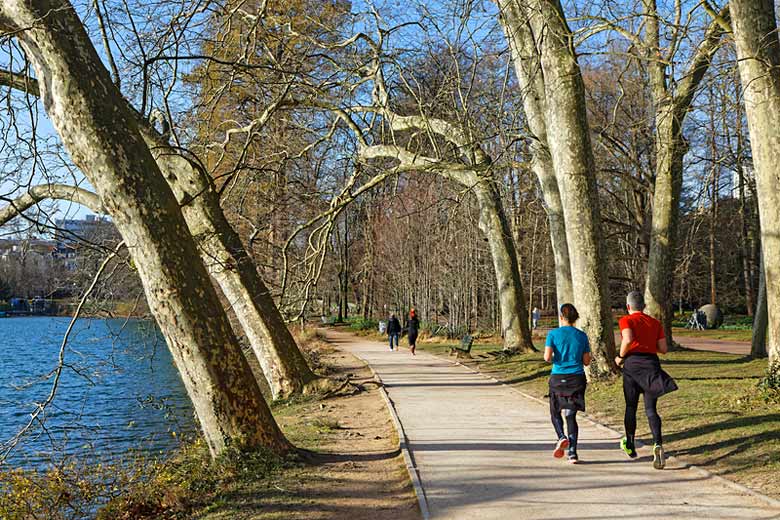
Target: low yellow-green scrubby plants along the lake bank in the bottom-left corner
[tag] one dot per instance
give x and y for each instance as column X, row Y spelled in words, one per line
column 135, row 488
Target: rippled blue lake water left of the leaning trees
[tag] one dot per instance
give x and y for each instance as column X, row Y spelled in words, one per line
column 119, row 392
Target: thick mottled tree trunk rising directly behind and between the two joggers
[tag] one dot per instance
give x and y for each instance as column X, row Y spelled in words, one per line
column 572, row 154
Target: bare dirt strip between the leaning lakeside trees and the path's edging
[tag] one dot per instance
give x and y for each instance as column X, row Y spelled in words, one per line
column 355, row 469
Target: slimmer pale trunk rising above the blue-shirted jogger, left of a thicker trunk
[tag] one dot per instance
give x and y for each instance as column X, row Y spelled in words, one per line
column 531, row 83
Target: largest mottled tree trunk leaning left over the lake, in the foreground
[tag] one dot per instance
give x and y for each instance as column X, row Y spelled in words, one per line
column 103, row 139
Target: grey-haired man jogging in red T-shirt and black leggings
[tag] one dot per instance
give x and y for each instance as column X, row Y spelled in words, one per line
column 643, row 338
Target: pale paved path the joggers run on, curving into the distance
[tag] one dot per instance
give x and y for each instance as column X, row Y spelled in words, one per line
column 483, row 451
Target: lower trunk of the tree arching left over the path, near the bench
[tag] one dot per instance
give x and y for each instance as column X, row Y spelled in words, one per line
column 493, row 223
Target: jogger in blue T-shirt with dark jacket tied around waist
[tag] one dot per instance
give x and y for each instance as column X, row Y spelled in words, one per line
column 567, row 348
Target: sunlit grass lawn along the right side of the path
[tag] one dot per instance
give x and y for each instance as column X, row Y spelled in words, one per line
column 719, row 419
